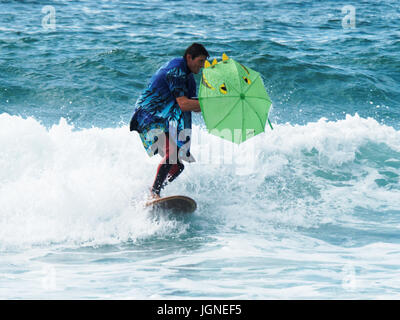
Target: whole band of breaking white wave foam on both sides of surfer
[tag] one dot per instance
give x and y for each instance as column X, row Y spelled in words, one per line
column 87, row 186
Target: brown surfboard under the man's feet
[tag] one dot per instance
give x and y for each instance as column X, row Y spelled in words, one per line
column 176, row 204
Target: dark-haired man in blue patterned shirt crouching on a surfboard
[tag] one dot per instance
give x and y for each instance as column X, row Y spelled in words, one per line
column 163, row 114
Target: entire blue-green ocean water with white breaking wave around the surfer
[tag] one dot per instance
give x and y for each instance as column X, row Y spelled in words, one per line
column 309, row 210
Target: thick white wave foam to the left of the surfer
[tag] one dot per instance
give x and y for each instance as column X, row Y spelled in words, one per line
column 61, row 185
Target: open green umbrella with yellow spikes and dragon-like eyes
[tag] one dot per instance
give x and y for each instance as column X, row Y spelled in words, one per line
column 233, row 100
